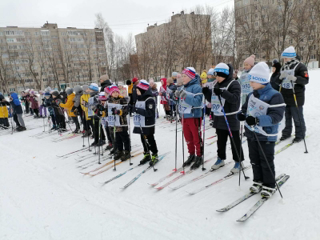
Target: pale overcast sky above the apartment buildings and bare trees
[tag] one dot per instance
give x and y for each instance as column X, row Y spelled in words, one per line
column 123, row 16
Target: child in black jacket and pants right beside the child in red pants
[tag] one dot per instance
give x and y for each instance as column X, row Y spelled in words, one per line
column 229, row 91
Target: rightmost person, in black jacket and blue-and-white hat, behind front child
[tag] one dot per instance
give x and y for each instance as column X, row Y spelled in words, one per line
column 293, row 71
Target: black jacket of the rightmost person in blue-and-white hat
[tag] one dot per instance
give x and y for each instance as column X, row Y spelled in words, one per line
column 301, row 73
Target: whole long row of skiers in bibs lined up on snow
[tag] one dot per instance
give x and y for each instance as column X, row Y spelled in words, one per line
column 254, row 101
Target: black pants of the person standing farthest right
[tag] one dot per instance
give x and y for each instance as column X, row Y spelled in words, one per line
column 295, row 114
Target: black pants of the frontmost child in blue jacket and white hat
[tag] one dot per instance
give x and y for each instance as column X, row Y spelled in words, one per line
column 261, row 172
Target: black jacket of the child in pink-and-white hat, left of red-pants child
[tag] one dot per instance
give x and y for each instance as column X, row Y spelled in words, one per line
column 149, row 113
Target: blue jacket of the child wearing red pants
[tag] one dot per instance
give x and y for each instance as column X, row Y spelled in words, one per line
column 194, row 98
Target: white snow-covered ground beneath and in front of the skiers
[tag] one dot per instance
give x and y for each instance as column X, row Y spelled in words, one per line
column 44, row 197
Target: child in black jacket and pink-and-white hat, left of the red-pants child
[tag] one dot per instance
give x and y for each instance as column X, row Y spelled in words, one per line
column 145, row 120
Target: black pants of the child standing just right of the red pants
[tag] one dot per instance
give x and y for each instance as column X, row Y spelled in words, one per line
column 222, row 143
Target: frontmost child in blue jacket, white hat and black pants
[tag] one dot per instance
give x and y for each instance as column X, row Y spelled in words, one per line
column 262, row 112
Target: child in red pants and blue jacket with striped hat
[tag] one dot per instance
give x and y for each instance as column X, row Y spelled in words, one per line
column 190, row 107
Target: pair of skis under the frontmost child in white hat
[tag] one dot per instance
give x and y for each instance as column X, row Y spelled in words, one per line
column 281, row 179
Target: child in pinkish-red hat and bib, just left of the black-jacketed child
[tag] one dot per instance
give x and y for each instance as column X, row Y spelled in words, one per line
column 117, row 111
